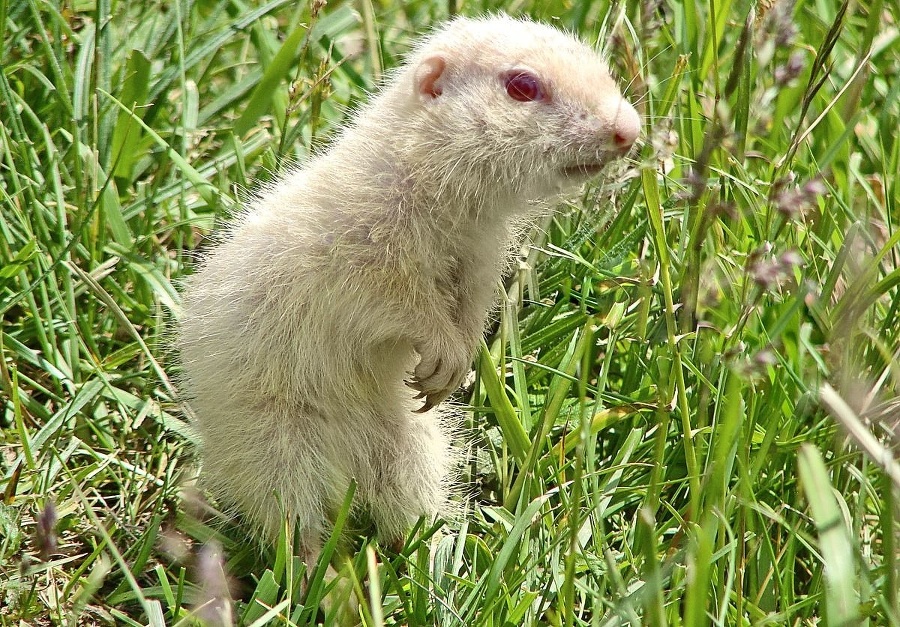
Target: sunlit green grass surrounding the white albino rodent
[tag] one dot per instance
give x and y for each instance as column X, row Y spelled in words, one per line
column 688, row 414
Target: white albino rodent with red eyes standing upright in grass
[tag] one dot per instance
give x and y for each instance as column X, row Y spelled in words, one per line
column 371, row 270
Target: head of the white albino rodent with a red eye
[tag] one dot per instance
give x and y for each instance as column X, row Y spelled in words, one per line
column 514, row 104
